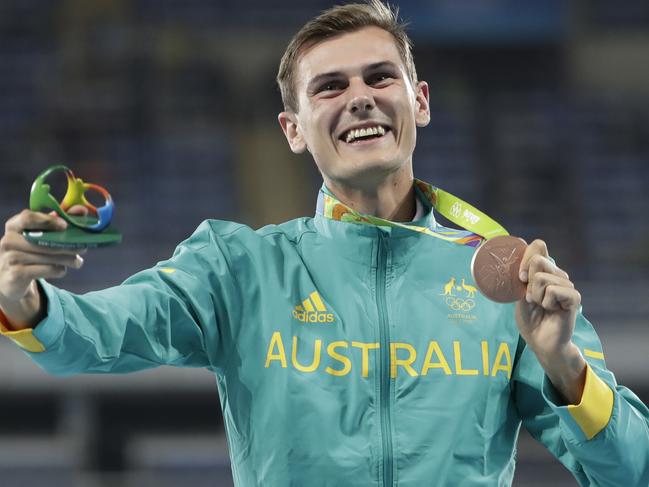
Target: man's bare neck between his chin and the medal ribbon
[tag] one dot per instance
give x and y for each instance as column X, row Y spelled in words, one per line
column 392, row 199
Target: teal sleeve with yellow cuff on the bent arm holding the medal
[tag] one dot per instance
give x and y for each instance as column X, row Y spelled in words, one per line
column 603, row 440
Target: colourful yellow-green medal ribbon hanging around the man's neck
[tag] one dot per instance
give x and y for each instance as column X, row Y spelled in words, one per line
column 479, row 226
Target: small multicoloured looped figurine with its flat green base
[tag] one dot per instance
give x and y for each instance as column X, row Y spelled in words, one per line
column 91, row 230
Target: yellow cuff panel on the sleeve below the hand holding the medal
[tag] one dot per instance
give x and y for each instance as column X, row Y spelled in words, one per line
column 594, row 411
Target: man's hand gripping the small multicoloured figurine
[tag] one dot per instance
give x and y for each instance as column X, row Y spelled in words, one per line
column 22, row 262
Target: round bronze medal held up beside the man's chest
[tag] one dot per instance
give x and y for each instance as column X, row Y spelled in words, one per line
column 495, row 268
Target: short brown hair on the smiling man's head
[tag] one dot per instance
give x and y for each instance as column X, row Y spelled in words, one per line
column 333, row 22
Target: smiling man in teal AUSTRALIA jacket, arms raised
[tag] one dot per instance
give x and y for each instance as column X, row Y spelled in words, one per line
column 344, row 350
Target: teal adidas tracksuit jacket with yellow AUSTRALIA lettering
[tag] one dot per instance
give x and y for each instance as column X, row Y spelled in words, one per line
column 349, row 355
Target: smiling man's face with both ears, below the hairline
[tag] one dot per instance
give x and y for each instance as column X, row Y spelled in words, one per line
column 358, row 110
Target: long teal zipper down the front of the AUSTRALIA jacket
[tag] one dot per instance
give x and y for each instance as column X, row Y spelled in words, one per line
column 384, row 383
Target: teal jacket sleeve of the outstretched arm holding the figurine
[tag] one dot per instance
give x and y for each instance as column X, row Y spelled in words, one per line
column 169, row 314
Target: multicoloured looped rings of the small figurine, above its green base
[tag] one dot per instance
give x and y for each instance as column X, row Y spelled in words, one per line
column 41, row 199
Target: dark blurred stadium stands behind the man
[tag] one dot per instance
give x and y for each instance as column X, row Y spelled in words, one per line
column 540, row 117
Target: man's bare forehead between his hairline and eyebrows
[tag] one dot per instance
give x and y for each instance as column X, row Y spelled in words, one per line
column 350, row 51
